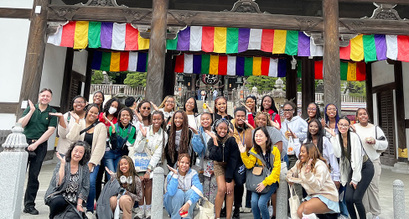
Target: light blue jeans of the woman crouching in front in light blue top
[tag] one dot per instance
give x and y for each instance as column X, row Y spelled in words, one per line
column 174, row 203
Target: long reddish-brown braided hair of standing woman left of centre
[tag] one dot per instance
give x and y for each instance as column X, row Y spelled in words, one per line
column 184, row 137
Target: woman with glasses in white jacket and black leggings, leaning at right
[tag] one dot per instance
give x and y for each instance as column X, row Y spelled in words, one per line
column 355, row 167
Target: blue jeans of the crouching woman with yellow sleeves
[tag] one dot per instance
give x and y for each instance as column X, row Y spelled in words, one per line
column 259, row 202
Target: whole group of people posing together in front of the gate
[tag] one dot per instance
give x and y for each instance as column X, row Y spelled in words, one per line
column 333, row 164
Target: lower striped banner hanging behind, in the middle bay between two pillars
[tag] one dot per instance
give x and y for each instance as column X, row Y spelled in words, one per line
column 230, row 65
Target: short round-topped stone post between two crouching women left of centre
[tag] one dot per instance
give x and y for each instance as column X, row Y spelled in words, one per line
column 157, row 193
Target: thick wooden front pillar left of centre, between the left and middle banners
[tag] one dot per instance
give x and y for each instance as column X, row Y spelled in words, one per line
column 157, row 52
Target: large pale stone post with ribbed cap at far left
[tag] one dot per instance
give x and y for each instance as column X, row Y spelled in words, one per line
column 13, row 163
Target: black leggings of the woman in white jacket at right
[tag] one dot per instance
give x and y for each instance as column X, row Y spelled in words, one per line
column 354, row 196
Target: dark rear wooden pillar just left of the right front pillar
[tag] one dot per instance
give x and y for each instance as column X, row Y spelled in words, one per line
column 307, row 84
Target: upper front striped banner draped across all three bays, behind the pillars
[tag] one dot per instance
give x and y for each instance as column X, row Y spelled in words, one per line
column 222, row 40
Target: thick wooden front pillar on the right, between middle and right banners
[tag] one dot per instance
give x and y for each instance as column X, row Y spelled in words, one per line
column 332, row 79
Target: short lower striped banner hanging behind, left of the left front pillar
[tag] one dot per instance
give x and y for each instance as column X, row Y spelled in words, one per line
column 120, row 61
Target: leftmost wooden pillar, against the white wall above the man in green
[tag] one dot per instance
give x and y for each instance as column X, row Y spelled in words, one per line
column 33, row 66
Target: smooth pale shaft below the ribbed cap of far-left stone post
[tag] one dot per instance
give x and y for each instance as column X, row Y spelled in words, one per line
column 12, row 176
